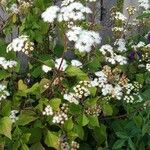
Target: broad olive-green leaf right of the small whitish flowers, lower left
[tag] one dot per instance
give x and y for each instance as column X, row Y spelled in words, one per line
column 26, row 118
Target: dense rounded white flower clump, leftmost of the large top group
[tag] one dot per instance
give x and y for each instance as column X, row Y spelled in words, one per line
column 50, row 14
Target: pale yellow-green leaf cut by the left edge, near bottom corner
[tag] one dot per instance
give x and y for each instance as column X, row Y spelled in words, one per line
column 6, row 127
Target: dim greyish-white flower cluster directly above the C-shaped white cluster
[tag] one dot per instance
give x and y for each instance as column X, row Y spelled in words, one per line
column 121, row 45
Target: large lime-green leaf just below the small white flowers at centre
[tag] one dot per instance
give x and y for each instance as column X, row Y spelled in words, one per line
column 76, row 72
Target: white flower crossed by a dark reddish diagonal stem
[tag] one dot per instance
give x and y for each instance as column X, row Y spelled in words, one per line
column 61, row 64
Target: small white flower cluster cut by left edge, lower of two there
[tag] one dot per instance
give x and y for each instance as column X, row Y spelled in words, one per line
column 3, row 92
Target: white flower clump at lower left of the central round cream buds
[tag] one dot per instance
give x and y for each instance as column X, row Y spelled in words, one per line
column 71, row 97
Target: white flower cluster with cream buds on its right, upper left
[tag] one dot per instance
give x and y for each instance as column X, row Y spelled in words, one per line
column 21, row 43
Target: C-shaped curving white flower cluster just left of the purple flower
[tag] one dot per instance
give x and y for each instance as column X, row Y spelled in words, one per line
column 111, row 56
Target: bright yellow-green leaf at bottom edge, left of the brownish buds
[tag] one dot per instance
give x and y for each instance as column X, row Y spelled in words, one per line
column 52, row 140
